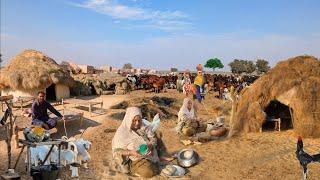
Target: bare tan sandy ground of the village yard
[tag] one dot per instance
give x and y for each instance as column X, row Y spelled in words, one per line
column 267, row 155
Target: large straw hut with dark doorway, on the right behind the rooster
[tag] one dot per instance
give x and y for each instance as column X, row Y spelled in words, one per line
column 290, row 91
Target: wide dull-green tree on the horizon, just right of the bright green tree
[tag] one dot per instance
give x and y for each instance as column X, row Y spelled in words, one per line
column 239, row 66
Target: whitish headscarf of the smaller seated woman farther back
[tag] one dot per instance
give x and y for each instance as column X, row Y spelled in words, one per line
column 184, row 114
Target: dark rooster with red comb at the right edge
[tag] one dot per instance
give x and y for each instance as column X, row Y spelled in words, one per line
column 304, row 158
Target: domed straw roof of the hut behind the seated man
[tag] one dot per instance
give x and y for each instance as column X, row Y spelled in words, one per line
column 32, row 69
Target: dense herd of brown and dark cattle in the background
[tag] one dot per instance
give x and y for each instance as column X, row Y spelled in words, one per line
column 214, row 82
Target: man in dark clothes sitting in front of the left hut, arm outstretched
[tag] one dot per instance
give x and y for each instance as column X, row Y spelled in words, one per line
column 40, row 116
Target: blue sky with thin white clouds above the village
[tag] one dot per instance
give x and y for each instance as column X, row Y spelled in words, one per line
column 160, row 34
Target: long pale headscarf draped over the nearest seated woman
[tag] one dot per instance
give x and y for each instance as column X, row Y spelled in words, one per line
column 125, row 138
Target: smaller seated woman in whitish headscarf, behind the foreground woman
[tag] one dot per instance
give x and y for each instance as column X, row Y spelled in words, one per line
column 188, row 123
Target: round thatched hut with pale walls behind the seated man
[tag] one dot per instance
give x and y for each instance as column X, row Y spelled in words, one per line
column 32, row 71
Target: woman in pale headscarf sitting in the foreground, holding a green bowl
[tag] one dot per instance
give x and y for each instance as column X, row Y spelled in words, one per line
column 131, row 134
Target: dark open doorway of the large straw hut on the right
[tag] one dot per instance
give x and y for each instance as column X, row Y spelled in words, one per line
column 276, row 110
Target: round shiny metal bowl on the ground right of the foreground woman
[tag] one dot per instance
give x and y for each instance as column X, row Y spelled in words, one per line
column 188, row 157
